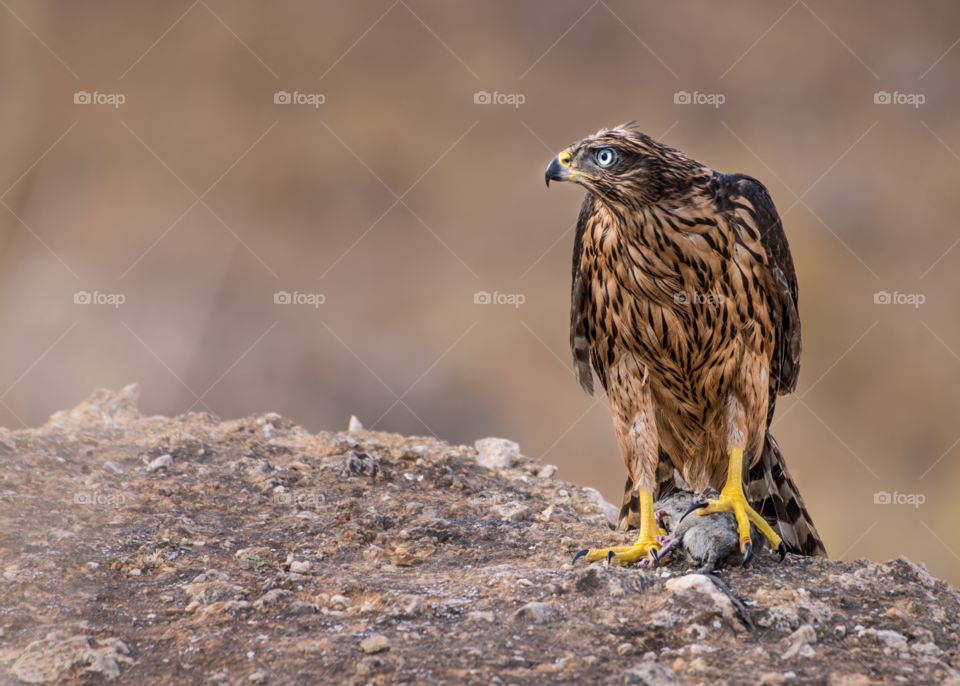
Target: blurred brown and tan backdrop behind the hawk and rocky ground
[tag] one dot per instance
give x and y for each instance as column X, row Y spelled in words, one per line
column 399, row 198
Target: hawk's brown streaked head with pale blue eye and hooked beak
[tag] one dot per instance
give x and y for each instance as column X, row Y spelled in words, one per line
column 624, row 167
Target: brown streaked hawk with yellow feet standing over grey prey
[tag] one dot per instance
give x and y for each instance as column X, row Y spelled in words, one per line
column 684, row 303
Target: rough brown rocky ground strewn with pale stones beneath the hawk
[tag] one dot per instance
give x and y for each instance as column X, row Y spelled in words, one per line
column 189, row 550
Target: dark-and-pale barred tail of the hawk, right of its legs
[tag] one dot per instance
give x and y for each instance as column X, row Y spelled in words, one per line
column 771, row 492
